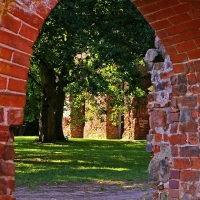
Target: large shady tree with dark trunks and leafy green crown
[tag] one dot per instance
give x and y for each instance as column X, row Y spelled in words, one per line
column 107, row 33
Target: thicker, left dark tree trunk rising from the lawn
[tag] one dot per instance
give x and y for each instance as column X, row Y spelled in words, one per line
column 47, row 124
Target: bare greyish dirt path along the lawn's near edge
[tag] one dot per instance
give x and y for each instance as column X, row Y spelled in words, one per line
column 89, row 191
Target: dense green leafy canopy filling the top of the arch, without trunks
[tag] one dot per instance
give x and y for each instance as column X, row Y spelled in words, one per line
column 92, row 46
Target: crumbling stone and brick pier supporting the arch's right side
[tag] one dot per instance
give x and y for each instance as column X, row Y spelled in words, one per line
column 173, row 138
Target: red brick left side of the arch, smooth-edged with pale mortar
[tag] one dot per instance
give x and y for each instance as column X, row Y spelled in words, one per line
column 18, row 32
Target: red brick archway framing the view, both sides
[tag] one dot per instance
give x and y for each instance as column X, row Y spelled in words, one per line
column 175, row 22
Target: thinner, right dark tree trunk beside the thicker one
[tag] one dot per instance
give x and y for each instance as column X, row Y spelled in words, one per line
column 60, row 99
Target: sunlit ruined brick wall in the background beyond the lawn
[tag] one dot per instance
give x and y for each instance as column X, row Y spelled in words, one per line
column 135, row 126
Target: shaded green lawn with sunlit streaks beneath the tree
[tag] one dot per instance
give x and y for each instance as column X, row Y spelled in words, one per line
column 79, row 160
